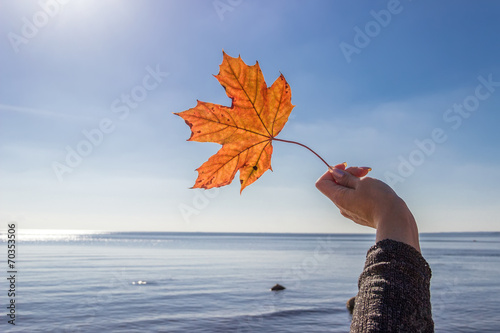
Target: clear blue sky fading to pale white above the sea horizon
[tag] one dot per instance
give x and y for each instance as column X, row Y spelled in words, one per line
column 87, row 91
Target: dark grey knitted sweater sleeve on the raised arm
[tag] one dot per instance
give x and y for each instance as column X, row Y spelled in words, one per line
column 394, row 291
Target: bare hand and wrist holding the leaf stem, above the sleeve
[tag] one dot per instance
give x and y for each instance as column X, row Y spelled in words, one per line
column 369, row 202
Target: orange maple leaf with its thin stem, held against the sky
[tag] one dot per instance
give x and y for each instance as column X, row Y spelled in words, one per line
column 245, row 130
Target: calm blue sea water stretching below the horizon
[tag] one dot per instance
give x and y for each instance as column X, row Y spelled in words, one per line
column 179, row 282
